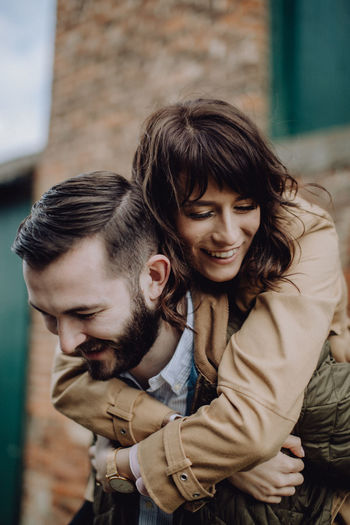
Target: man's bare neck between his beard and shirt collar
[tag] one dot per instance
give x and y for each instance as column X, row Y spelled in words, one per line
column 159, row 355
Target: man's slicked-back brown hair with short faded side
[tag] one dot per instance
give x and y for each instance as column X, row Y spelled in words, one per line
column 99, row 203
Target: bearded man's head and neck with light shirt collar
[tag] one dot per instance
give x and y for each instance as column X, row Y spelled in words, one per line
column 98, row 287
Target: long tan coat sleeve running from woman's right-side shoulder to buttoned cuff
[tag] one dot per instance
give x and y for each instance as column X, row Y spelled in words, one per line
column 261, row 379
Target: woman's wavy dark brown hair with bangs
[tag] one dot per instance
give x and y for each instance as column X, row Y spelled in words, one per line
column 186, row 144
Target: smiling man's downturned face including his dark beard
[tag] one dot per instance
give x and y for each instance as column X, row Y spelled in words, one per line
column 92, row 311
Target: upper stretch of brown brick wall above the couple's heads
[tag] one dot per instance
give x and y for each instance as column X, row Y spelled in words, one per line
column 116, row 61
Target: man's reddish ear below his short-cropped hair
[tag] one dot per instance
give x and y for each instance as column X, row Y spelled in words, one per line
column 155, row 276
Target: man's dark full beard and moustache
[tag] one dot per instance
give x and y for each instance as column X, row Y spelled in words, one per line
column 128, row 350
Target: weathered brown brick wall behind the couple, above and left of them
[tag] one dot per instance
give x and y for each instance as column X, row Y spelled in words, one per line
column 114, row 63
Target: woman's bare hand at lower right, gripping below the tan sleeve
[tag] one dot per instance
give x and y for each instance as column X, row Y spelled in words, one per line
column 275, row 478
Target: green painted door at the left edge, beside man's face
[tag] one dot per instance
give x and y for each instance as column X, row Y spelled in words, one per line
column 13, row 358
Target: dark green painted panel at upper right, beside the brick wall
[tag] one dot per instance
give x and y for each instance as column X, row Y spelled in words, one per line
column 310, row 73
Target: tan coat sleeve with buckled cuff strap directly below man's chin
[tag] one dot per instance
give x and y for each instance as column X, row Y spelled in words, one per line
column 110, row 408
